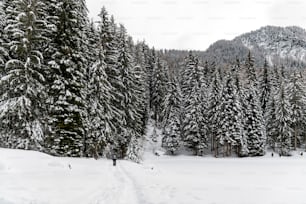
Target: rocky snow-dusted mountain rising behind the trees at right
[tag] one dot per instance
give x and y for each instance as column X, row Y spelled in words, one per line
column 279, row 45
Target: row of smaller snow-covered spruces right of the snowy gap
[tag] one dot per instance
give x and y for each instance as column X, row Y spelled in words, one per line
column 235, row 109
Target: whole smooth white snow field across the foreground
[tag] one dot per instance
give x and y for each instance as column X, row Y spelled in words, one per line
column 28, row 177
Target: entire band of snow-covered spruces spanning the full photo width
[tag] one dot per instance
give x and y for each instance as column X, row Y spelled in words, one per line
column 71, row 87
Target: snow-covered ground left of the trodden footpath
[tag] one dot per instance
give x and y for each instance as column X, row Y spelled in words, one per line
column 28, row 177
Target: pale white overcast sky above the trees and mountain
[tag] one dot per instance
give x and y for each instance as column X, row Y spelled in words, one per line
column 195, row 24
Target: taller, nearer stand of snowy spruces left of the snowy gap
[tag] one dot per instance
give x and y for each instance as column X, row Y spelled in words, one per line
column 71, row 87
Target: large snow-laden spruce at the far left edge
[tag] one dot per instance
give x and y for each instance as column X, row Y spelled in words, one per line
column 23, row 77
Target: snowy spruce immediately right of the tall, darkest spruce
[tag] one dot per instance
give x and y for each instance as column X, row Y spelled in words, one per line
column 99, row 124
